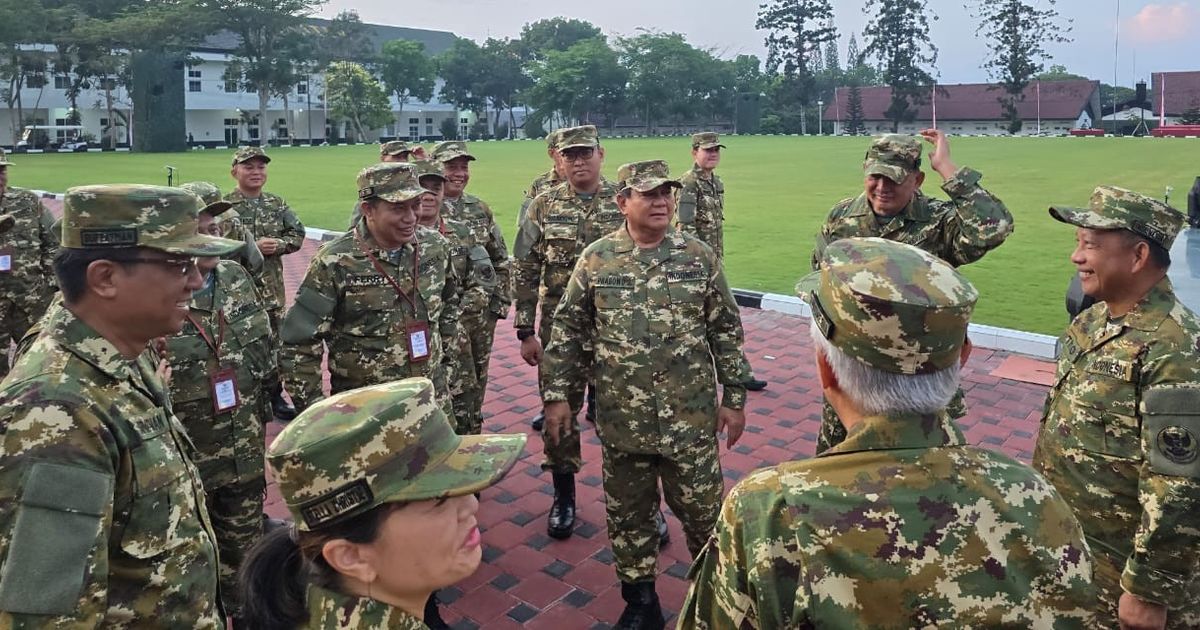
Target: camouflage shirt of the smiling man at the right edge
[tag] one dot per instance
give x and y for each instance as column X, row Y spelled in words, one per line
column 1119, row 441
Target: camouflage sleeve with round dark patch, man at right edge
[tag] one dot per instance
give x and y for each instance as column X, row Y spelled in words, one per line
column 1167, row 544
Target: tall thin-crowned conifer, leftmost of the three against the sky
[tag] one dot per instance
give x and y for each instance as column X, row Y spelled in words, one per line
column 797, row 32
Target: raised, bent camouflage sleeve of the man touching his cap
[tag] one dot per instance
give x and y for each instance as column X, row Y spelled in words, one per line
column 980, row 224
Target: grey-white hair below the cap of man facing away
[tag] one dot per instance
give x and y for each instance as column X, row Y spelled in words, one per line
column 879, row 393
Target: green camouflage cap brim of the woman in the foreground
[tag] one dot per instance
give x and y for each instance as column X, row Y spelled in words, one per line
column 479, row 463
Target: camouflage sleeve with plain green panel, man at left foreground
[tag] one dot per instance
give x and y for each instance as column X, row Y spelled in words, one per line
column 57, row 481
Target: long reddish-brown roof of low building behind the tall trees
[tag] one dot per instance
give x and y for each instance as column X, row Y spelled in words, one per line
column 1061, row 100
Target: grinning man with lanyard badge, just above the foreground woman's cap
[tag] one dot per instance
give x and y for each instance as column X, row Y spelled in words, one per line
column 383, row 298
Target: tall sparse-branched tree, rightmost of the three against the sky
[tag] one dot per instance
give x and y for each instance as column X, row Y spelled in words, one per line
column 1017, row 34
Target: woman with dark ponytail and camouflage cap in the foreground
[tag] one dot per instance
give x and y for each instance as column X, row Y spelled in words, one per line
column 382, row 490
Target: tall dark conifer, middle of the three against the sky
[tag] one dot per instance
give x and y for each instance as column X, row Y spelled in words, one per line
column 899, row 39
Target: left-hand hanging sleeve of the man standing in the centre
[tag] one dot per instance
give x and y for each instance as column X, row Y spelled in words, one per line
column 567, row 361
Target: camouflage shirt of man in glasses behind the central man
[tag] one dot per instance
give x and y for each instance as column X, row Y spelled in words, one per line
column 559, row 226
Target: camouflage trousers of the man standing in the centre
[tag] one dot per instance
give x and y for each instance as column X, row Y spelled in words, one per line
column 692, row 487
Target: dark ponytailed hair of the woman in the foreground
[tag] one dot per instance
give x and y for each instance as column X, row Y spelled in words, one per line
column 277, row 573
